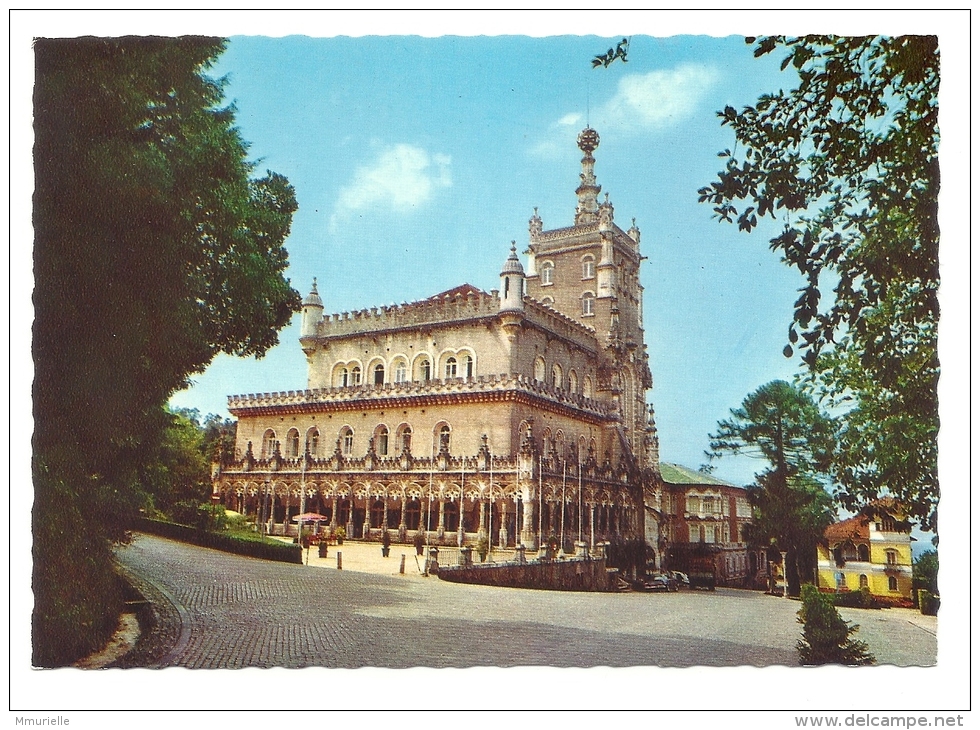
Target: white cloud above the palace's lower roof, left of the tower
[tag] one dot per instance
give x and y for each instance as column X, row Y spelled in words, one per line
column 402, row 177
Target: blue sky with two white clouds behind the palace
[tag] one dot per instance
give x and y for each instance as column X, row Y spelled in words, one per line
column 417, row 160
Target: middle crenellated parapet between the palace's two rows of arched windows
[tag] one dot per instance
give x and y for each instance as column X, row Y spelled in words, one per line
column 486, row 387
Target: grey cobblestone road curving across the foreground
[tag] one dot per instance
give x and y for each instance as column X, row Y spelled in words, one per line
column 242, row 612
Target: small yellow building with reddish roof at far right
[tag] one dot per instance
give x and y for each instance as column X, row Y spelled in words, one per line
column 870, row 550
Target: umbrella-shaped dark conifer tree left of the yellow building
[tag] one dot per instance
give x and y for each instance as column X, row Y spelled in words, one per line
column 782, row 425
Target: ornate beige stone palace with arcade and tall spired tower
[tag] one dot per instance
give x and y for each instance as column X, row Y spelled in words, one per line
column 517, row 415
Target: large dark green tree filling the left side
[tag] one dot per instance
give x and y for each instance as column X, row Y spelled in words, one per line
column 155, row 248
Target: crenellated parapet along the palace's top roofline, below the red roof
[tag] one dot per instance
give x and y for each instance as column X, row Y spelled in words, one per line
column 456, row 307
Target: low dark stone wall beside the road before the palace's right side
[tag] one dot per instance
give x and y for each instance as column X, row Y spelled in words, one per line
column 576, row 574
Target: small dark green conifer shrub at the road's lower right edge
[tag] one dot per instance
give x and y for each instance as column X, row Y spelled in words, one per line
column 826, row 636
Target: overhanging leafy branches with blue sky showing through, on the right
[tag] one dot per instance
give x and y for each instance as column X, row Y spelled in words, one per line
column 848, row 161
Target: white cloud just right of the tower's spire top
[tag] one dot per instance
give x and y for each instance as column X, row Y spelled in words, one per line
column 659, row 98
